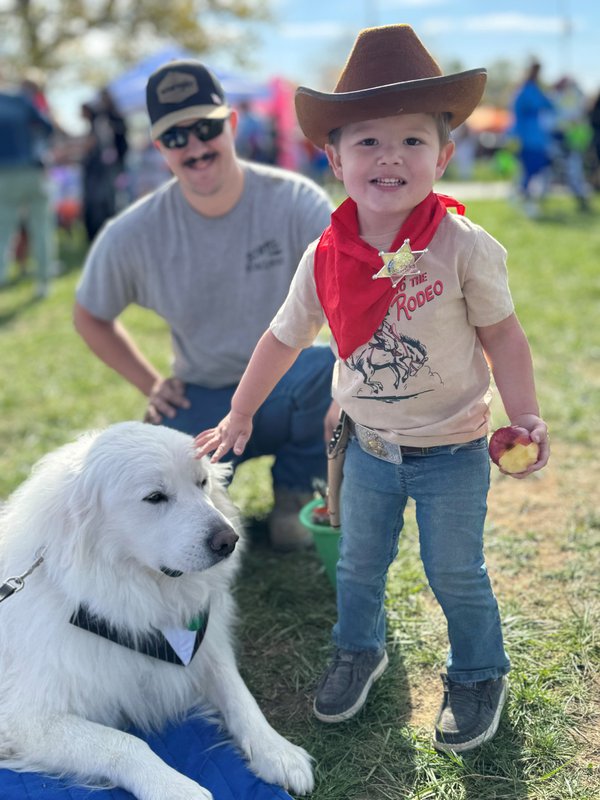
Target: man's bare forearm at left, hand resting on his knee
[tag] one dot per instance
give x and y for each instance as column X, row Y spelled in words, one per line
column 113, row 345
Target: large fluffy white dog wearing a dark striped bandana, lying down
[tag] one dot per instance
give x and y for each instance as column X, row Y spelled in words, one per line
column 137, row 538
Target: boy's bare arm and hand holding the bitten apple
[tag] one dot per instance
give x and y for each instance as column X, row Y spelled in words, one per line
column 507, row 350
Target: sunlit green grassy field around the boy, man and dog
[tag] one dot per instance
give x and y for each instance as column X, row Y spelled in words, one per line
column 542, row 544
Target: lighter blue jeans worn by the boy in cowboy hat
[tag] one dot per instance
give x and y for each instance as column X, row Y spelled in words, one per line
column 449, row 485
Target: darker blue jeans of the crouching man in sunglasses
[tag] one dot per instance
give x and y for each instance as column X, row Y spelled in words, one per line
column 289, row 424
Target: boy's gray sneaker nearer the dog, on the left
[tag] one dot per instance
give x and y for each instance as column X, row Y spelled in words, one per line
column 344, row 687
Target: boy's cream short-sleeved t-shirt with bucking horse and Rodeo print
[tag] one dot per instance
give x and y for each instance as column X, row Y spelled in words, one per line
column 422, row 379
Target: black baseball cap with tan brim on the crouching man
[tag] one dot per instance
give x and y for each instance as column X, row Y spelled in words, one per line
column 183, row 90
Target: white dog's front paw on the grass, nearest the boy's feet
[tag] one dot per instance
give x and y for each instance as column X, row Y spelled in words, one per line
column 283, row 763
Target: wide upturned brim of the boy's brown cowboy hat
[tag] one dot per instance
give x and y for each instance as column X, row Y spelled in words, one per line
column 319, row 113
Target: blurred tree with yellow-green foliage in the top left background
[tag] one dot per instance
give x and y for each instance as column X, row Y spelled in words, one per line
column 53, row 34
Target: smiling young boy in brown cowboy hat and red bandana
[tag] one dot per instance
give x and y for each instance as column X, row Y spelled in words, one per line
column 418, row 303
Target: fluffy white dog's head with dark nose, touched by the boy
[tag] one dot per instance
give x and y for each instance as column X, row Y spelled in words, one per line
column 159, row 505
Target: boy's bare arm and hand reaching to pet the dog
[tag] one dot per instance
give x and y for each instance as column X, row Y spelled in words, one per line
column 270, row 361
